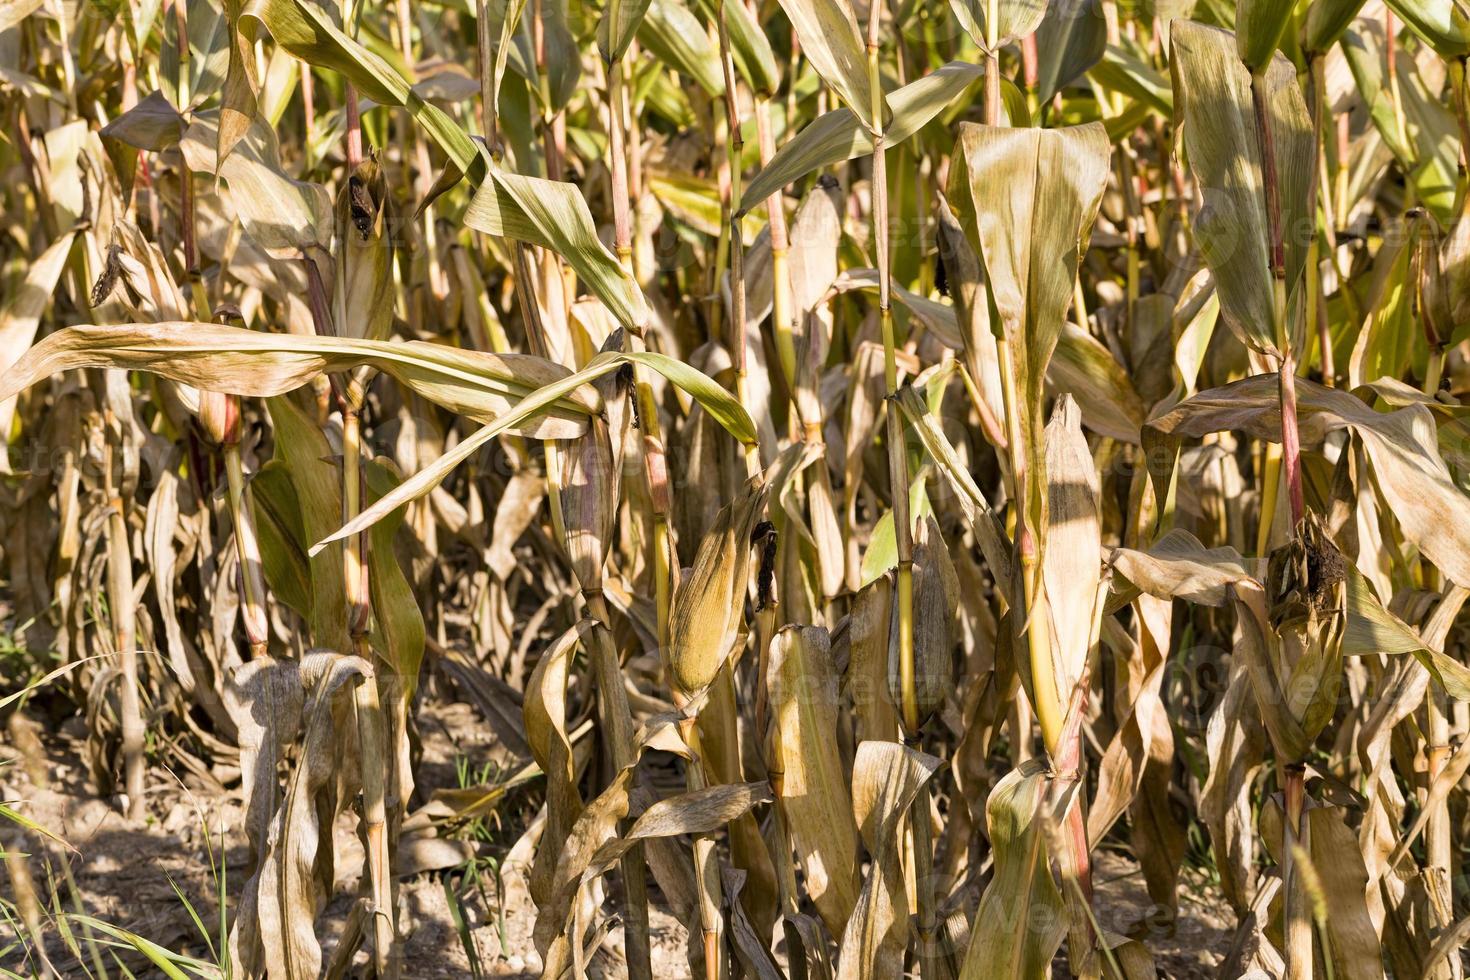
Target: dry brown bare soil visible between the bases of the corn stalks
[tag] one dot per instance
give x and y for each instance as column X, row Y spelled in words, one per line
column 124, row 872
